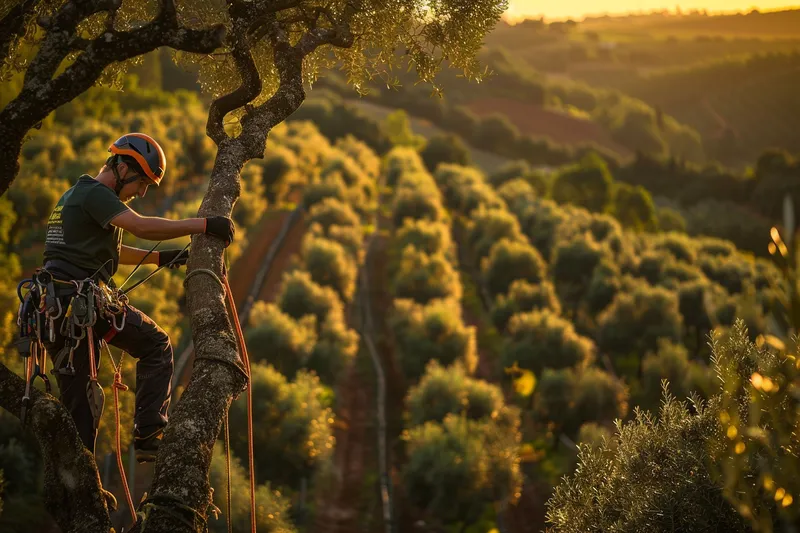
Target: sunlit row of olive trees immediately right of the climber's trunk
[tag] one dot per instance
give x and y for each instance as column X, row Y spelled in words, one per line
column 302, row 344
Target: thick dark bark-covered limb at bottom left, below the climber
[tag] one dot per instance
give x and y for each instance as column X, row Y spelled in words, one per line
column 71, row 480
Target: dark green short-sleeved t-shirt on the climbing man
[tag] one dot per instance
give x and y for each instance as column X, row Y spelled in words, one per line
column 79, row 229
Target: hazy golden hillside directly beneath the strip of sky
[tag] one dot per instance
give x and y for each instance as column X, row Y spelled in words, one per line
column 617, row 47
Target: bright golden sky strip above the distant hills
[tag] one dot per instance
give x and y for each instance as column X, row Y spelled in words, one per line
column 577, row 9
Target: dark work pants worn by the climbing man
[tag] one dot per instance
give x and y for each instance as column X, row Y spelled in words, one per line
column 142, row 339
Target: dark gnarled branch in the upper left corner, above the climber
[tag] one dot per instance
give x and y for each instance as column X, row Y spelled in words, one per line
column 41, row 93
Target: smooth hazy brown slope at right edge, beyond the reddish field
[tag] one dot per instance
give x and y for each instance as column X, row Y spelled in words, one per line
column 740, row 107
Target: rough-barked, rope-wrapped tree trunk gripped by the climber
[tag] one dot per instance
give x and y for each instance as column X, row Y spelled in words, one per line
column 184, row 459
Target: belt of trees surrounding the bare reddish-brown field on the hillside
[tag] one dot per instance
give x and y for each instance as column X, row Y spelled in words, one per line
column 631, row 122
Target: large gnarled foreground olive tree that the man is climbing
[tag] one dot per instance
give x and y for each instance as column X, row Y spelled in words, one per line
column 254, row 59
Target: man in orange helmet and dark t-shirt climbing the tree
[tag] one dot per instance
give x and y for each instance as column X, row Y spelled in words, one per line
column 84, row 240
